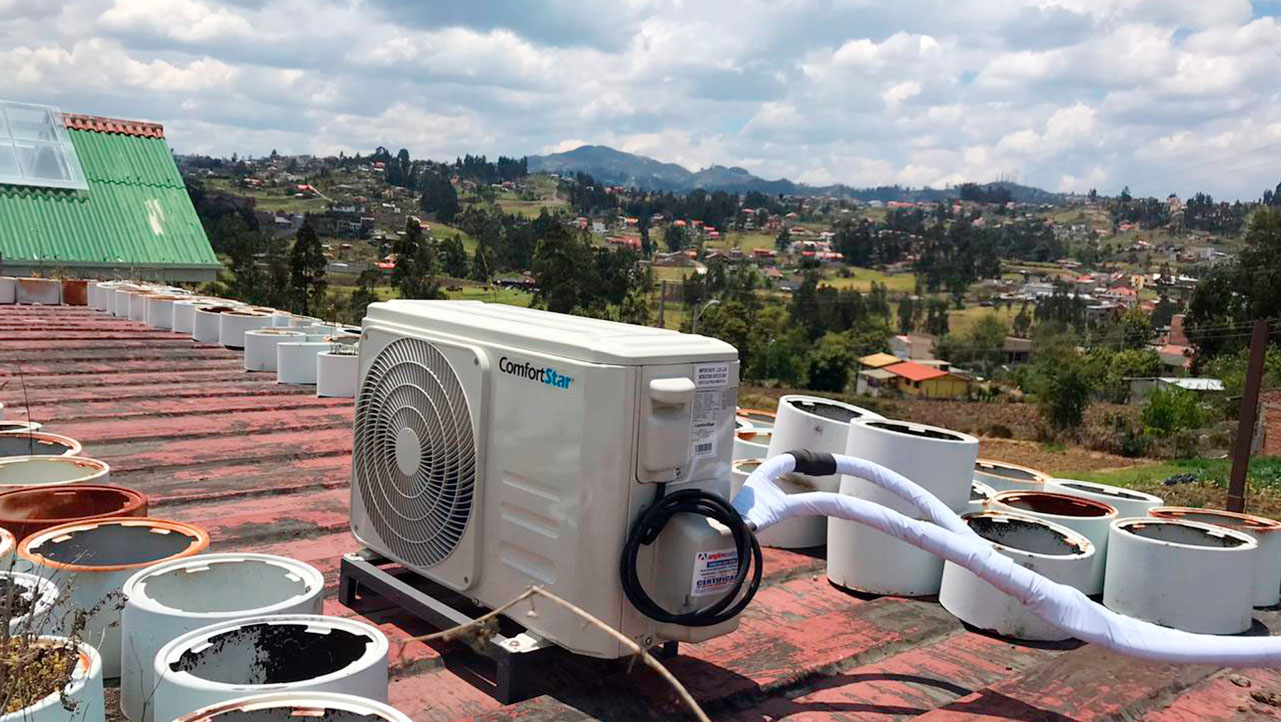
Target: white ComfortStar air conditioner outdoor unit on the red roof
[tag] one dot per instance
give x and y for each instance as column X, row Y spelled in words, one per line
column 499, row 447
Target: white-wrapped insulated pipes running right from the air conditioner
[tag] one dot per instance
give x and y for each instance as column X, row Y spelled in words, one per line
column 763, row 505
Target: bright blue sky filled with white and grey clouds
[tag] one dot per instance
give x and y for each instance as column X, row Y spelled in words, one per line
column 1161, row 95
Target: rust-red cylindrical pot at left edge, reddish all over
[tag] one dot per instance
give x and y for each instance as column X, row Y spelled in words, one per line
column 28, row 511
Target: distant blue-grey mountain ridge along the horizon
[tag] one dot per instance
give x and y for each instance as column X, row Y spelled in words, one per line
column 619, row 168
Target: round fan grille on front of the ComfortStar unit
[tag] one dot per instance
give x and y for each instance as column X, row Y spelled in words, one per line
column 414, row 453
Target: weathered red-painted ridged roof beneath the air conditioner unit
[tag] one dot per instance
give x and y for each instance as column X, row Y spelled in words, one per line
column 266, row 468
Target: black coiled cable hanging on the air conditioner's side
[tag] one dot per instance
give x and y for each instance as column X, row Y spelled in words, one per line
column 646, row 532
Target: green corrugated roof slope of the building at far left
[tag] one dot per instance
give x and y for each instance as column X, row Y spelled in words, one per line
column 136, row 211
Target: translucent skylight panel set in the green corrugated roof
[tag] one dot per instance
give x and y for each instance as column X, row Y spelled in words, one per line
column 37, row 149
